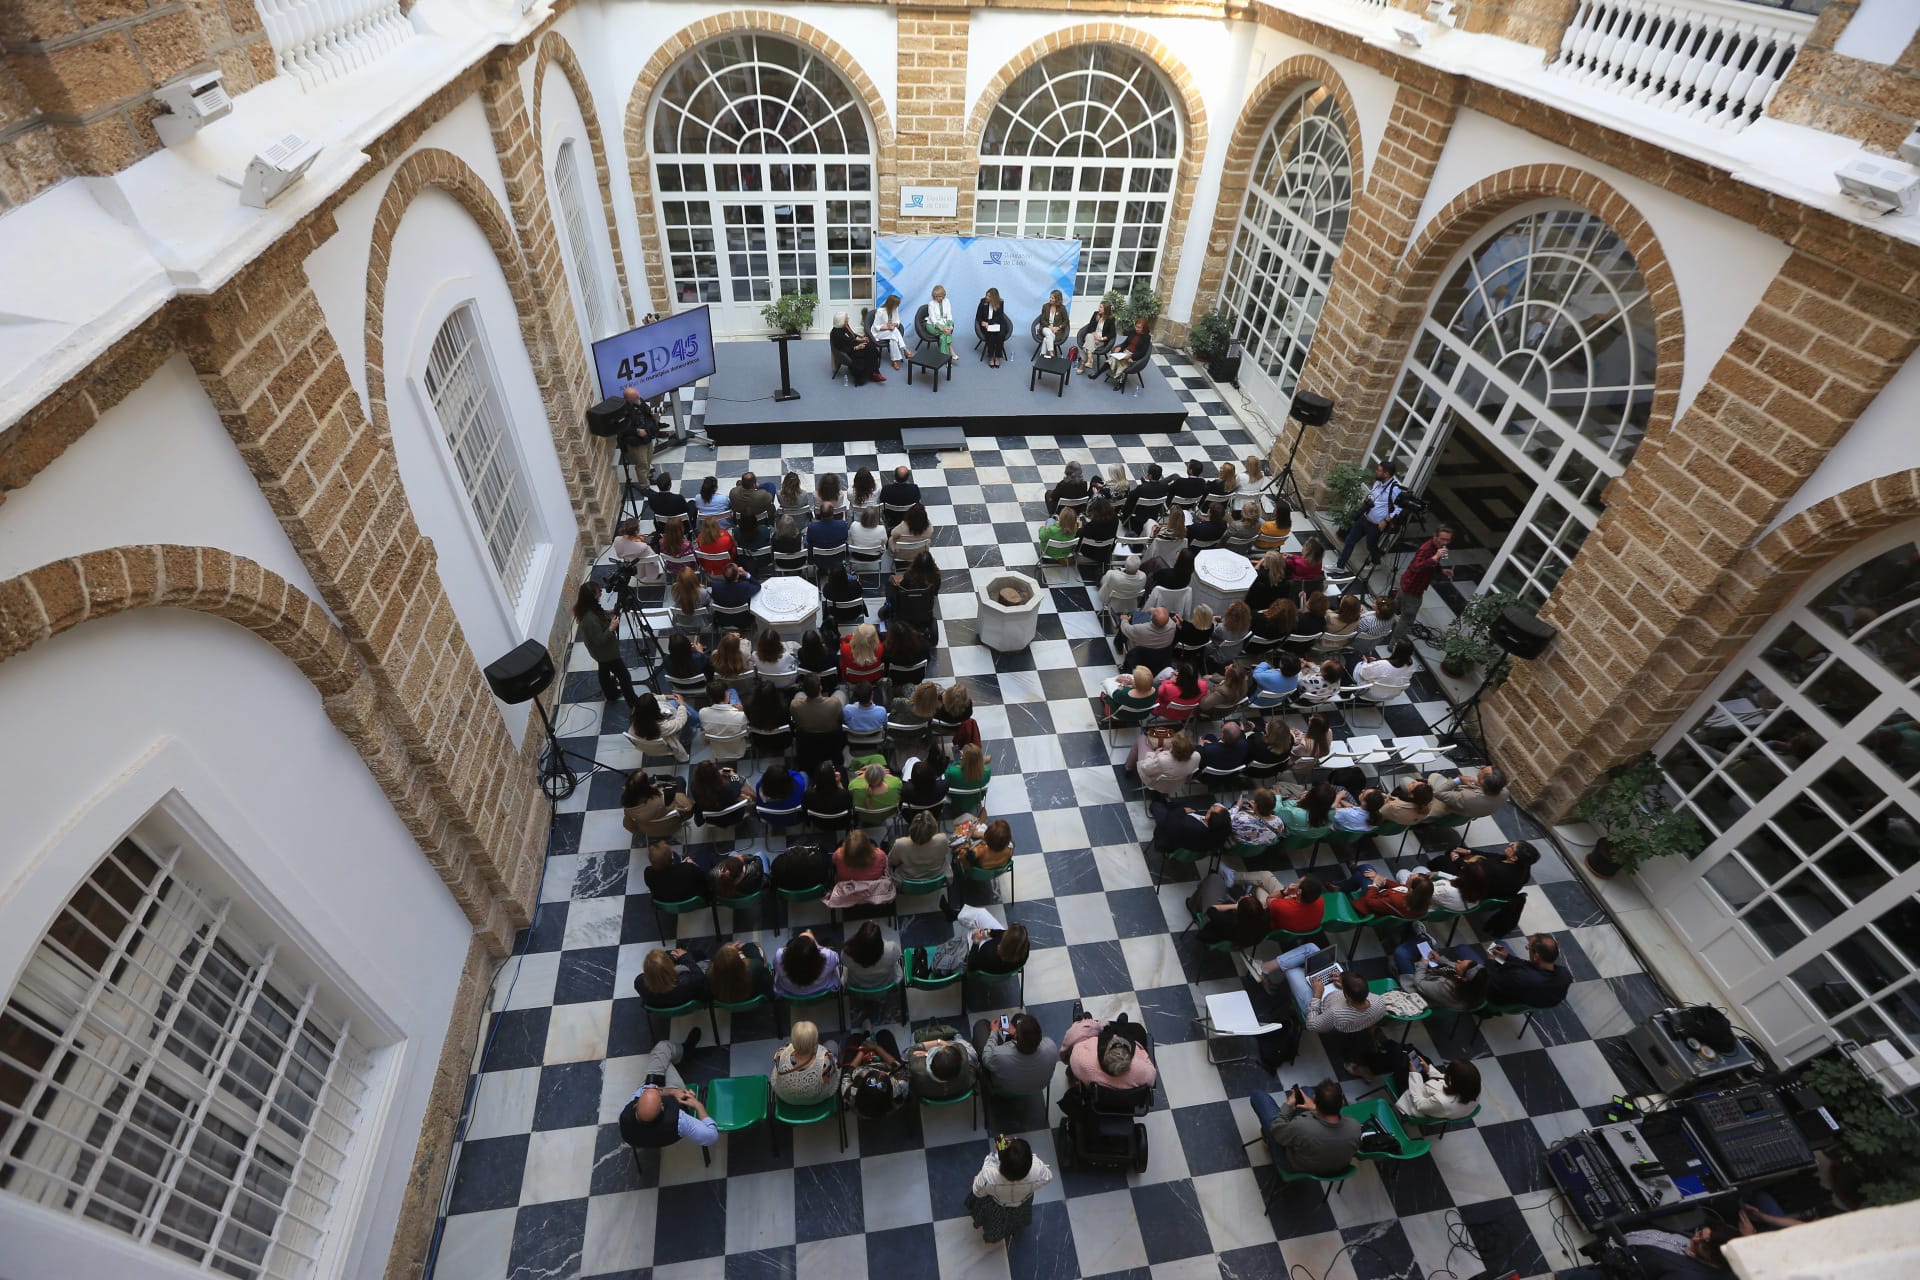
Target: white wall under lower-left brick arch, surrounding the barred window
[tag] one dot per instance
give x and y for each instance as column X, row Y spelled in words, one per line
column 126, row 711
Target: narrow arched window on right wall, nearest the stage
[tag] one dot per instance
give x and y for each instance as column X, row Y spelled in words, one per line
column 1291, row 227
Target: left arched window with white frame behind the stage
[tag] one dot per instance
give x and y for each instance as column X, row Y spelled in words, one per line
column 765, row 168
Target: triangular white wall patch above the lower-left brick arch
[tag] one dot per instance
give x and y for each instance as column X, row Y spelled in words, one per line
column 155, row 469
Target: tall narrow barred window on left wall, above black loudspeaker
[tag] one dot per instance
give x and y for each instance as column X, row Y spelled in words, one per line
column 466, row 394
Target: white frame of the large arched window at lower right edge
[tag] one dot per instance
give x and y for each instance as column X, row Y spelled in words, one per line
column 1762, row 984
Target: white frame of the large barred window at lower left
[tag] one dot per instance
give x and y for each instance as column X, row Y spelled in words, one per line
column 120, row 1024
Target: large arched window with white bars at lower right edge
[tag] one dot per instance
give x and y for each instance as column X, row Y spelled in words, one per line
column 1804, row 765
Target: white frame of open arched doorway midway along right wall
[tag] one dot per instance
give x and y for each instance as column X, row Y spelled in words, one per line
column 1447, row 383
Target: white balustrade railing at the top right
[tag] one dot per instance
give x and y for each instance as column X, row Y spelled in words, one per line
column 1708, row 60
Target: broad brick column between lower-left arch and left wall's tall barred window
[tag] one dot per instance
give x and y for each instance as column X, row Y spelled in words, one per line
column 274, row 373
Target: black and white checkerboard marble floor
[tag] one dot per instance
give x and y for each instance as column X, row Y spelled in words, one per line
column 544, row 1189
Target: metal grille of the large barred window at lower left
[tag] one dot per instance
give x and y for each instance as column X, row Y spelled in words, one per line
column 162, row 1078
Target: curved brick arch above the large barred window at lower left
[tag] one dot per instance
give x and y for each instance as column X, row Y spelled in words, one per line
column 101, row 584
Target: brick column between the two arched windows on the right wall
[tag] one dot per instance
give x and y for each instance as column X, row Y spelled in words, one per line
column 1349, row 360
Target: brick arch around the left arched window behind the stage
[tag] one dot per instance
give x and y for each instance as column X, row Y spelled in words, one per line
column 640, row 149
